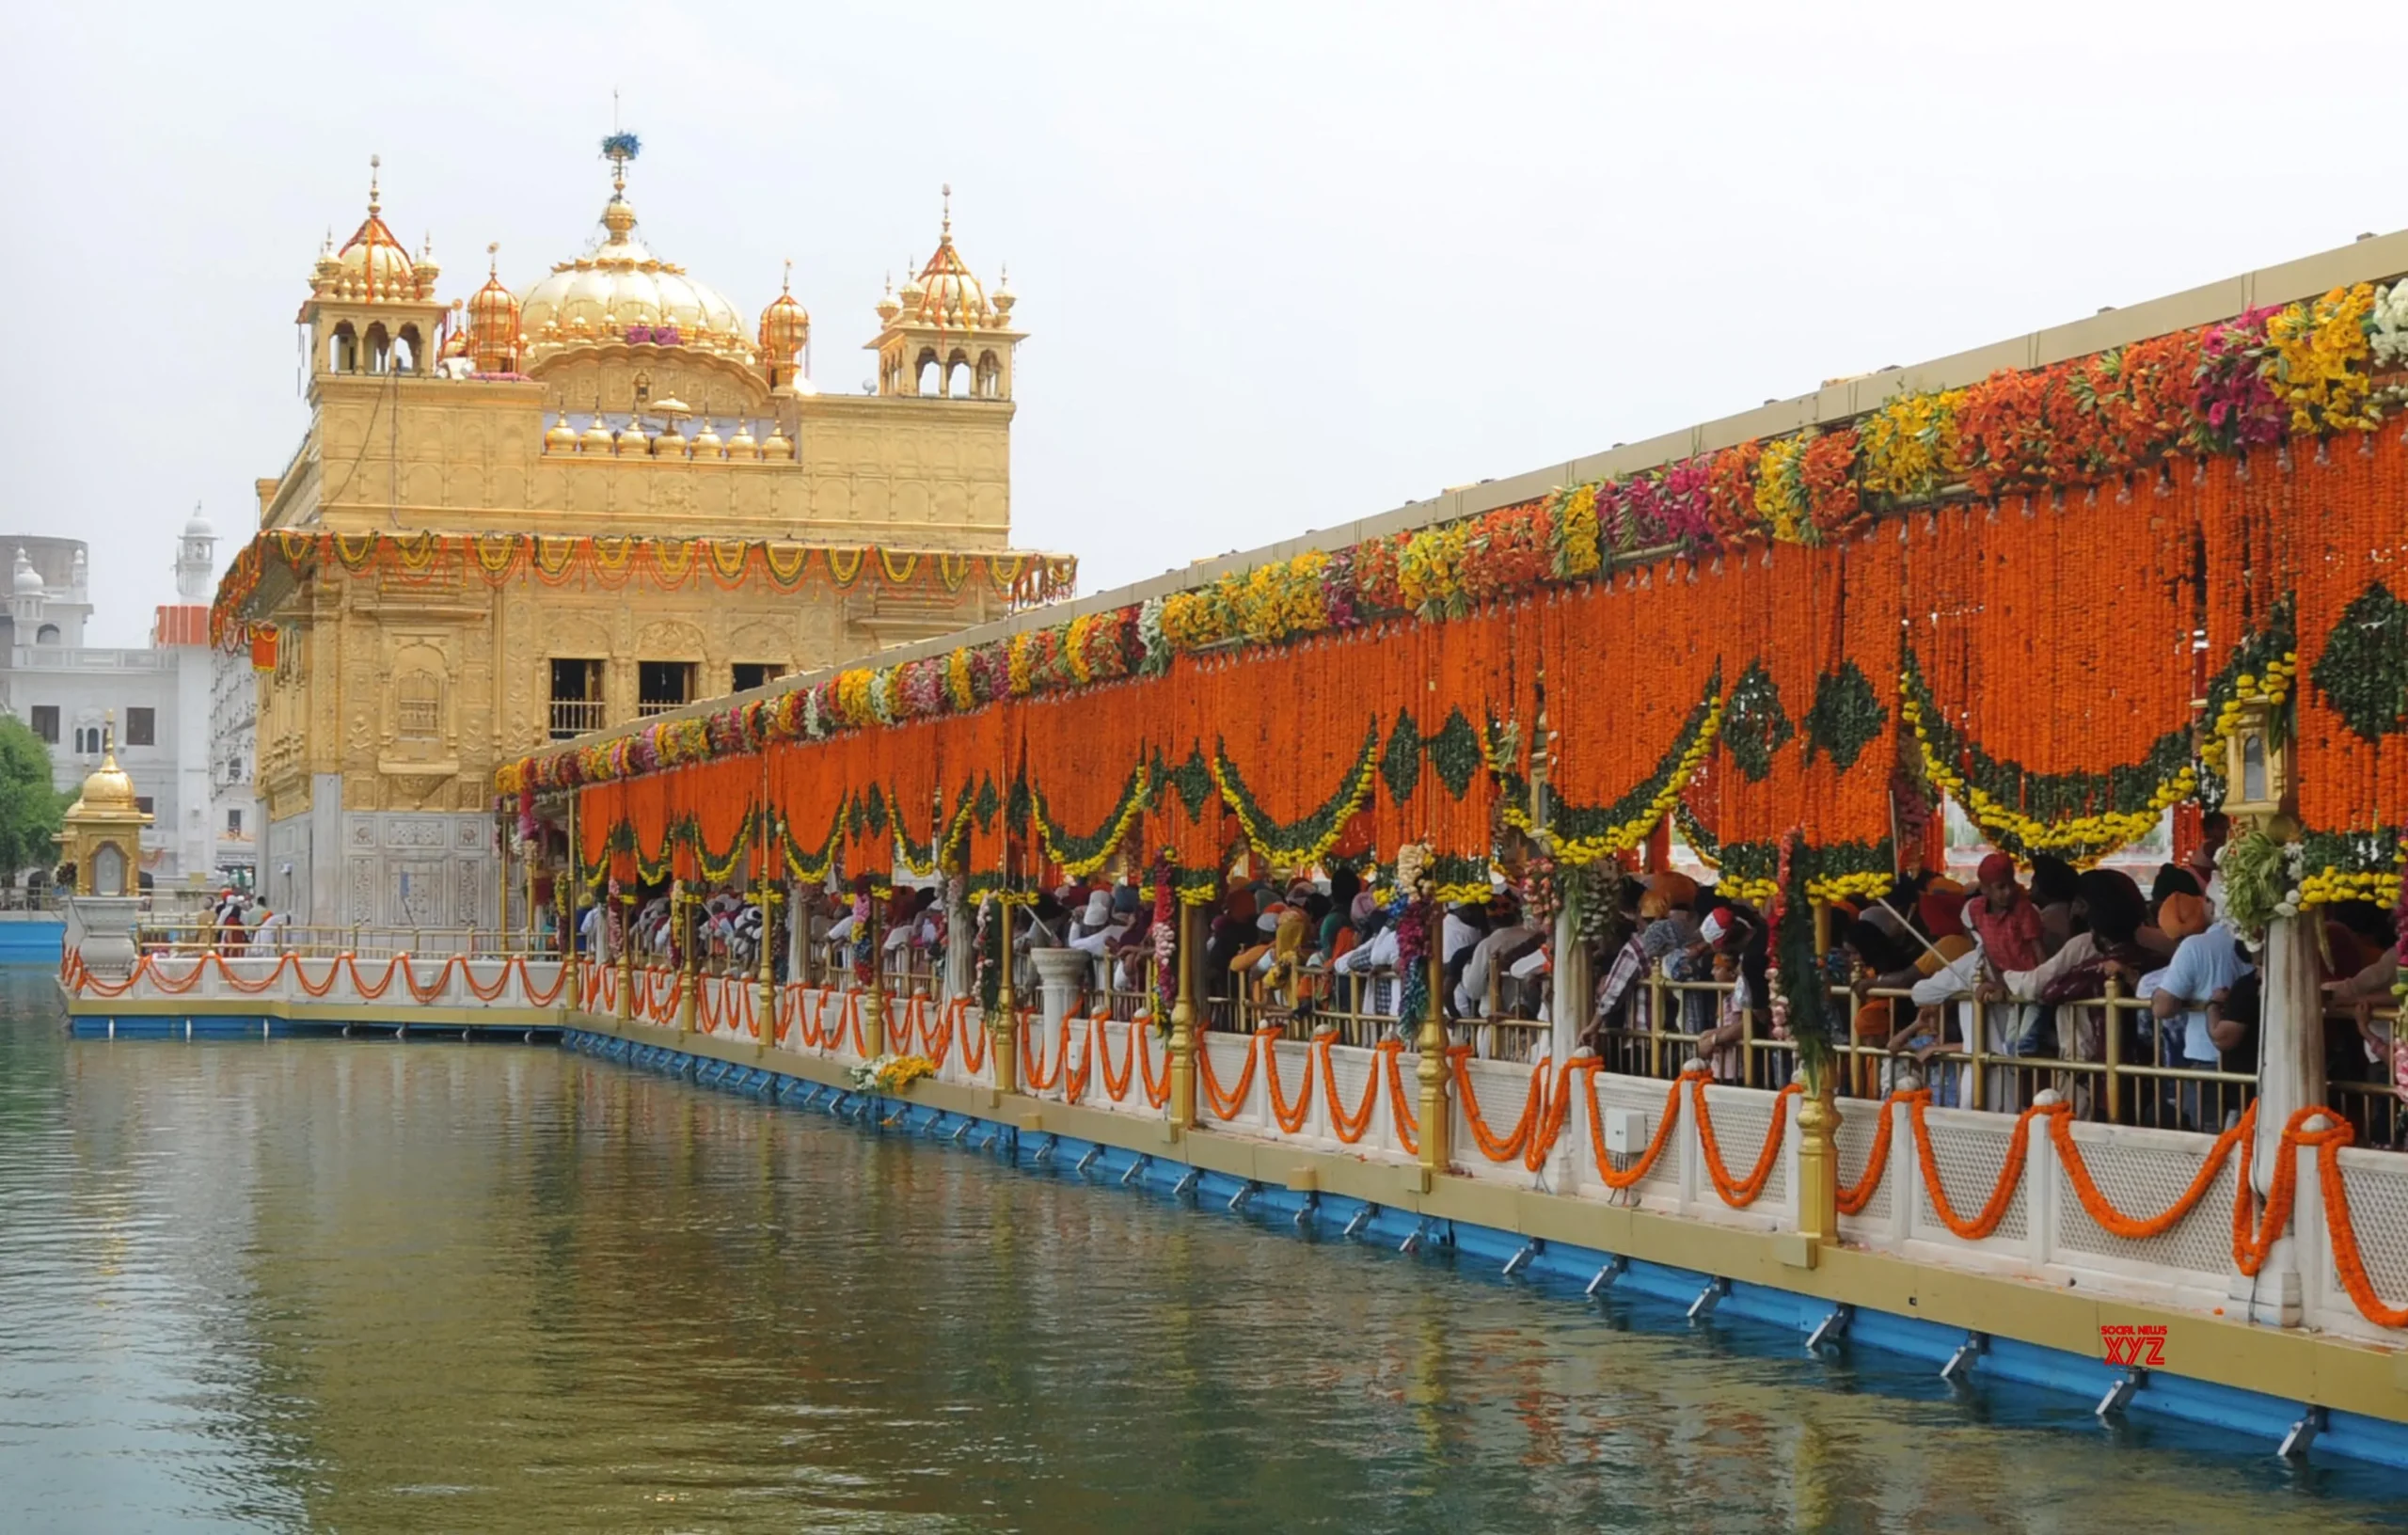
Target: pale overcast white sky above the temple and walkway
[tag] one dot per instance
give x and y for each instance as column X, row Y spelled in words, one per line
column 1280, row 266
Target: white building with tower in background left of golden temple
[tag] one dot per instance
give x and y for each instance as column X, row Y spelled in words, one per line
column 160, row 699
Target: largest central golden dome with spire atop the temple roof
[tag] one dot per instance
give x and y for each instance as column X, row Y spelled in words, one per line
column 622, row 292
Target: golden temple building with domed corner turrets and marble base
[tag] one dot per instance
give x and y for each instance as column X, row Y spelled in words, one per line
column 519, row 518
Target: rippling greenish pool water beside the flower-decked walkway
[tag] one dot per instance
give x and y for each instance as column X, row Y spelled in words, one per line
column 365, row 1286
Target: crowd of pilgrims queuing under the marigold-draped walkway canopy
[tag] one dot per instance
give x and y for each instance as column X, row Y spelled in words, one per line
column 1911, row 973
